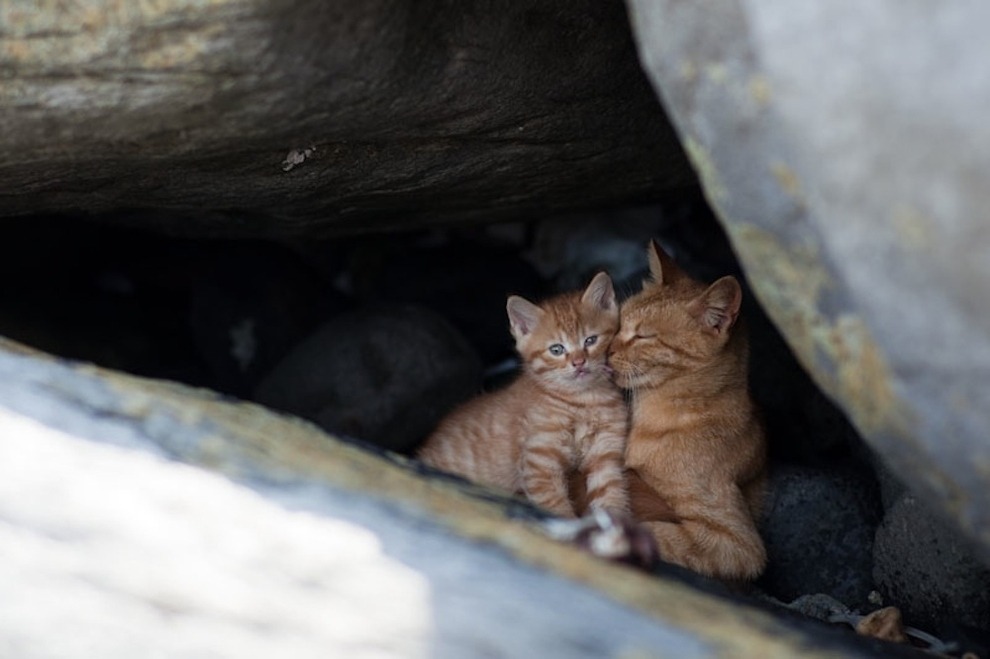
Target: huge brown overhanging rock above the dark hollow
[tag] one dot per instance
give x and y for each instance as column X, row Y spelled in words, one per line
column 244, row 118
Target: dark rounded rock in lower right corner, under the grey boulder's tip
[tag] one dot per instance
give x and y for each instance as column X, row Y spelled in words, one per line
column 925, row 568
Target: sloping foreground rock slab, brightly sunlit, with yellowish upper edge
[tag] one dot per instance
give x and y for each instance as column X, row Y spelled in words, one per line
column 137, row 515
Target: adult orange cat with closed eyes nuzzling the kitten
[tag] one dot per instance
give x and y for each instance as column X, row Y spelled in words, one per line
column 696, row 454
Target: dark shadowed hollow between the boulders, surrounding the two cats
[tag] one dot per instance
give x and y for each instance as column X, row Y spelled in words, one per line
column 376, row 336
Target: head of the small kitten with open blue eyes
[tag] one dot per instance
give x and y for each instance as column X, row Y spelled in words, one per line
column 564, row 341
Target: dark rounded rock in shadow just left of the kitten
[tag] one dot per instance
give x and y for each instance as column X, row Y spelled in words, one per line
column 385, row 376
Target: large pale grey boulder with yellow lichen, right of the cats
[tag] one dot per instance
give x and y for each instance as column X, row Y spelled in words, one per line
column 845, row 147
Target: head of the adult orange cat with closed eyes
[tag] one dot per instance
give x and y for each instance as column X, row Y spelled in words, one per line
column 675, row 325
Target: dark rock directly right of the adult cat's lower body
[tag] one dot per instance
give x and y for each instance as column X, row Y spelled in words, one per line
column 818, row 526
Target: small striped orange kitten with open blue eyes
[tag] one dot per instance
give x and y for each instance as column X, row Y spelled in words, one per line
column 562, row 416
